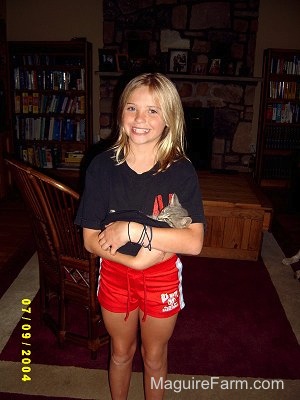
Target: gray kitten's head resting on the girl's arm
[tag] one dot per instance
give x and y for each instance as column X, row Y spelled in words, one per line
column 174, row 214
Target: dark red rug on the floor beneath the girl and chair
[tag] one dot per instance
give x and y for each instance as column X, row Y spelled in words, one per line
column 233, row 325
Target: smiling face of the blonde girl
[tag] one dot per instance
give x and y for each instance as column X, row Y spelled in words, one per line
column 142, row 117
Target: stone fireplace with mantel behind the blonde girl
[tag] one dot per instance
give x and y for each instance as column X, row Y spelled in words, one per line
column 146, row 30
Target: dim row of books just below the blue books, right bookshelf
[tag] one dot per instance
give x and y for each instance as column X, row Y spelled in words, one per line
column 282, row 138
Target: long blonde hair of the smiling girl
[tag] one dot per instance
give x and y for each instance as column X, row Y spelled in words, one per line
column 171, row 145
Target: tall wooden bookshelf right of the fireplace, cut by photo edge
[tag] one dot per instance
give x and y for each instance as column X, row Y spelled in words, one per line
column 278, row 143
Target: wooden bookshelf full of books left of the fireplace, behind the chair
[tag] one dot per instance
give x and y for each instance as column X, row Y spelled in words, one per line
column 51, row 96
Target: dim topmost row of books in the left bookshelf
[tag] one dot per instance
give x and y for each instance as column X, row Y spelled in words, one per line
column 46, row 59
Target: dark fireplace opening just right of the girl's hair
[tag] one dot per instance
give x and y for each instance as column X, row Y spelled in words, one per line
column 199, row 136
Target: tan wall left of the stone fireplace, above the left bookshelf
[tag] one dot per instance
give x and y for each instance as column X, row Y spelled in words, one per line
column 59, row 20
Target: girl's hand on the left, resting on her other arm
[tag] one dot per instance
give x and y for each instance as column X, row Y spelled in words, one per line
column 113, row 237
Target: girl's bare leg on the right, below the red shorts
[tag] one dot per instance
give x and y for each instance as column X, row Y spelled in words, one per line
column 155, row 334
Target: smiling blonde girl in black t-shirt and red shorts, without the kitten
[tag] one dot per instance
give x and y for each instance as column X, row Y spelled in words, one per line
column 140, row 282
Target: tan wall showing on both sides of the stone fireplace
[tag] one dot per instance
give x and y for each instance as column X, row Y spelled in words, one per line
column 60, row 20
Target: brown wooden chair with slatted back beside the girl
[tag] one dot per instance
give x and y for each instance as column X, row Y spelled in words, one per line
column 66, row 268
